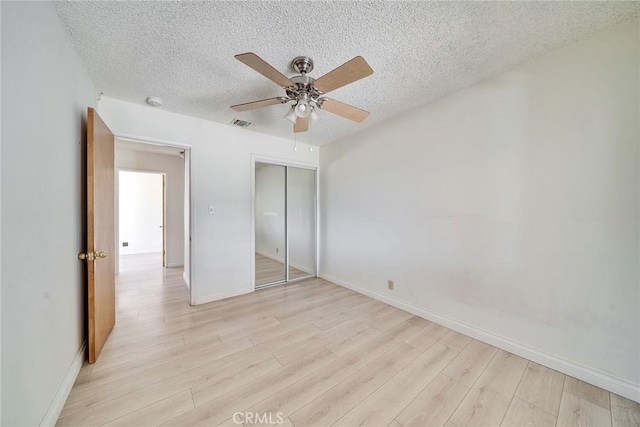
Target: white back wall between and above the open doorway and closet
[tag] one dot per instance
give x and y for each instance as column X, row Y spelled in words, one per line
column 221, row 176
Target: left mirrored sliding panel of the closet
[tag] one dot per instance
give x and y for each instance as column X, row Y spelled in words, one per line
column 270, row 243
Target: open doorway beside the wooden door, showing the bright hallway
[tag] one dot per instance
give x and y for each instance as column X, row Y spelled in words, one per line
column 152, row 207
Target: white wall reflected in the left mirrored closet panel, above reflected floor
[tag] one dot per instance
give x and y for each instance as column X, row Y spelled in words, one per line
column 270, row 206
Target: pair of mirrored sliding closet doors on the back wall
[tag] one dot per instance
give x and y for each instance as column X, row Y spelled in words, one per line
column 285, row 224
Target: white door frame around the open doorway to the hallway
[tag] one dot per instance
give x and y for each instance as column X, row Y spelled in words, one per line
column 188, row 155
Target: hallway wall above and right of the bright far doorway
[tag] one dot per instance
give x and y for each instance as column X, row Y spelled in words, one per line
column 174, row 169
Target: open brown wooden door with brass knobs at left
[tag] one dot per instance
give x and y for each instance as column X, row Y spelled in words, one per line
column 100, row 233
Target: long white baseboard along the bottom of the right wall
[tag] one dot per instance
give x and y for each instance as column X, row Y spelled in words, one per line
column 592, row 376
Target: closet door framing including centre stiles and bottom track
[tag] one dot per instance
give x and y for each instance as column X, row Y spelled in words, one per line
column 255, row 158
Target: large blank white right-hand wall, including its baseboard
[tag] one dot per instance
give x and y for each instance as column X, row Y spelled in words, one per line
column 510, row 209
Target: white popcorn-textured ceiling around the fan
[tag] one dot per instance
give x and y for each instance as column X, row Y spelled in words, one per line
column 419, row 51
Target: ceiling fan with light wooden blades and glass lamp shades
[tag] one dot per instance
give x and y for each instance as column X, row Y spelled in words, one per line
column 307, row 93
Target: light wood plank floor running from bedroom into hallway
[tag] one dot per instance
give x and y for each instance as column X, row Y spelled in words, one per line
column 315, row 354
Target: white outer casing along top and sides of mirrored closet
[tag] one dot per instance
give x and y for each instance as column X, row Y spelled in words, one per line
column 257, row 158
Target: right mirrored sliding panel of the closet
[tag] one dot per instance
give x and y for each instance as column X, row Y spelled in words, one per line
column 301, row 222
